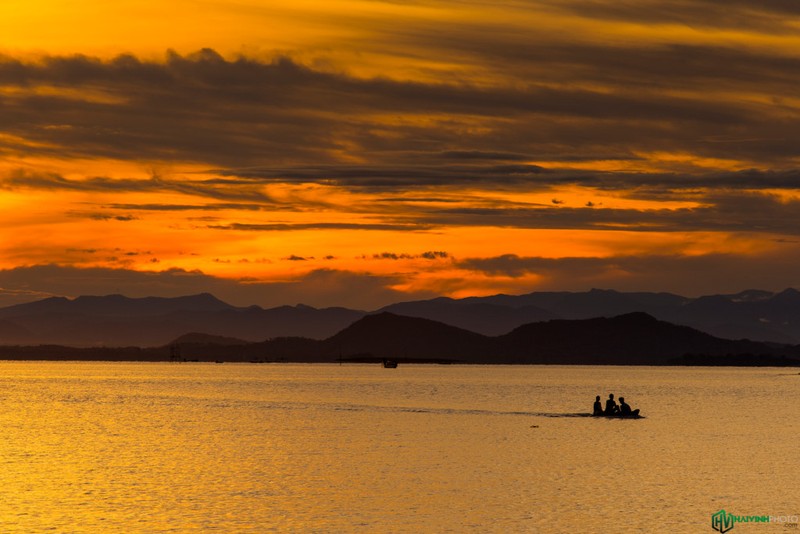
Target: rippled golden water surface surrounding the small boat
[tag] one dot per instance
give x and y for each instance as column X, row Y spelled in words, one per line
column 135, row 447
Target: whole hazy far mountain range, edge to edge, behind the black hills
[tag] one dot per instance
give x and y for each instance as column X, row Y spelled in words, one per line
column 114, row 320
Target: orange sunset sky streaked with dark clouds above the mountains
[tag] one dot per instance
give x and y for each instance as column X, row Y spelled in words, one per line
column 362, row 152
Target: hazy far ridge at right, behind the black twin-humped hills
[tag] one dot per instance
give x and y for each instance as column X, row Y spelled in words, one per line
column 752, row 314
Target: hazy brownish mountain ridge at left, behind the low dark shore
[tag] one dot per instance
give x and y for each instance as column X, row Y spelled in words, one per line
column 121, row 321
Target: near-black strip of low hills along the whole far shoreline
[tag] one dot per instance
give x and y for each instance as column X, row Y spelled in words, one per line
column 630, row 339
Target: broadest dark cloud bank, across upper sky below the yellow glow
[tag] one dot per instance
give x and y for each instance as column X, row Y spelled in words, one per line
column 246, row 112
